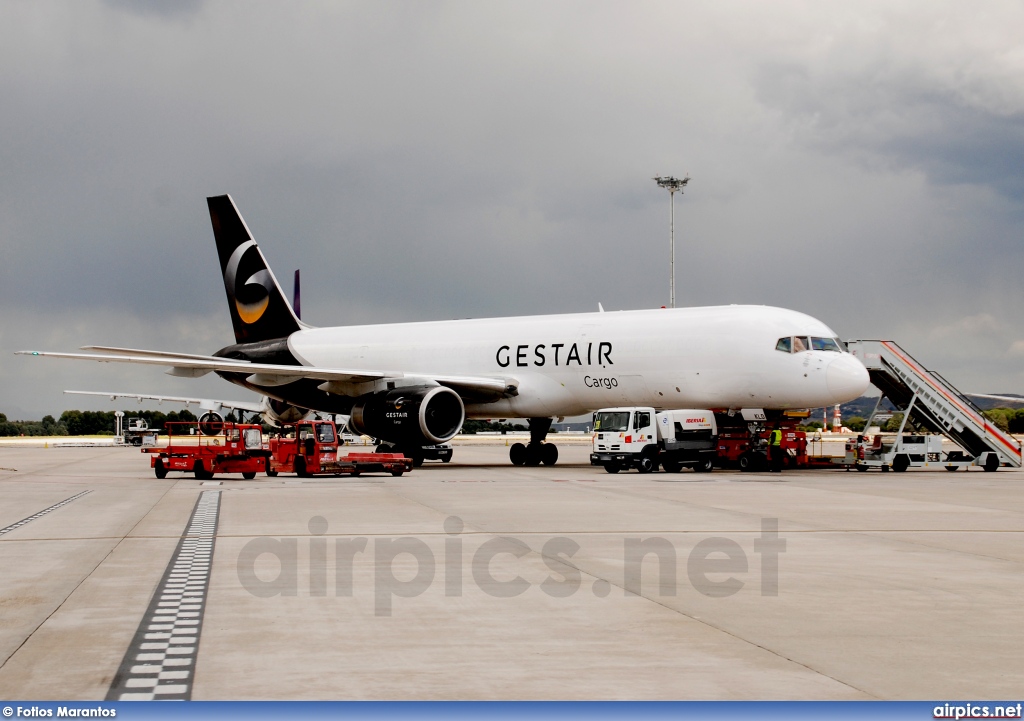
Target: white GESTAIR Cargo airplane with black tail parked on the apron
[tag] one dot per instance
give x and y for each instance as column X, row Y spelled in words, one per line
column 413, row 385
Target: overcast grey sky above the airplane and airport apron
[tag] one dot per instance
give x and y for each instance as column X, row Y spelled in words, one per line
column 863, row 162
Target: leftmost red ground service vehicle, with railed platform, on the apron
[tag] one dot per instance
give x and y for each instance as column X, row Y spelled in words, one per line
column 207, row 449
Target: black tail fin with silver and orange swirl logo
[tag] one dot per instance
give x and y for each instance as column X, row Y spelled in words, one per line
column 260, row 310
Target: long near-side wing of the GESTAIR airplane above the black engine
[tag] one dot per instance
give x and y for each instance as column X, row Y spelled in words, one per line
column 480, row 389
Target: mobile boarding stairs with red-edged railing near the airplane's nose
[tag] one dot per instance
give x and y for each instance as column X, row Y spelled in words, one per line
column 937, row 406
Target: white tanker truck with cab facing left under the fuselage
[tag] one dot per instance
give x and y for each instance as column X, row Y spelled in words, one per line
column 644, row 439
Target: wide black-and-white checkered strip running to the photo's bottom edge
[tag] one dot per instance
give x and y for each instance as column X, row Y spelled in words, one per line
column 161, row 661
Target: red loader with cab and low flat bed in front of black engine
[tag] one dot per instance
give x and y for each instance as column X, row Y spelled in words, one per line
column 311, row 448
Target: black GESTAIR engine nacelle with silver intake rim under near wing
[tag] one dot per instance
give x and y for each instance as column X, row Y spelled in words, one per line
column 416, row 416
